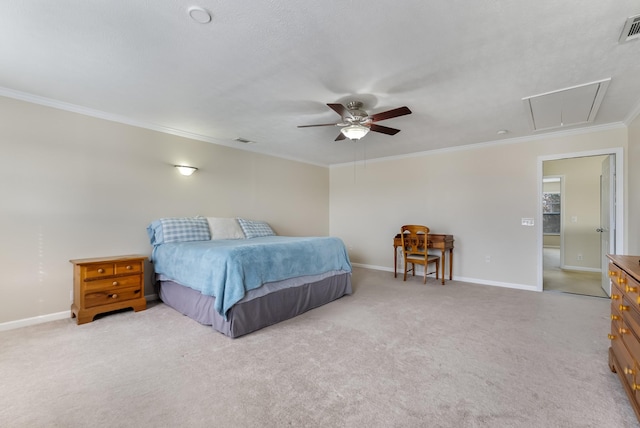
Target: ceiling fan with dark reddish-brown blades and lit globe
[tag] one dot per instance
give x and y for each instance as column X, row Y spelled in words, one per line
column 356, row 123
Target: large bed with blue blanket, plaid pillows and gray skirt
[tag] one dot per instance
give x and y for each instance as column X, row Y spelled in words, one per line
column 238, row 276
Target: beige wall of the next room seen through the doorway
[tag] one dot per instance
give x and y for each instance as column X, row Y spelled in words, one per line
column 581, row 209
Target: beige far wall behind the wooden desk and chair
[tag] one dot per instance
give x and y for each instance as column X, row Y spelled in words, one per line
column 477, row 194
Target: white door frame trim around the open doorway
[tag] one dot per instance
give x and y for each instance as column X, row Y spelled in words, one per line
column 619, row 200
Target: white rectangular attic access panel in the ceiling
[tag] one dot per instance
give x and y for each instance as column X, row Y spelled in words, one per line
column 565, row 107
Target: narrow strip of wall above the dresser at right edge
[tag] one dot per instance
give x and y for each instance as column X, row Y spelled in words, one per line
column 633, row 190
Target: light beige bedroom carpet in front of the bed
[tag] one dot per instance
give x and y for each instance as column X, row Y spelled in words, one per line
column 394, row 354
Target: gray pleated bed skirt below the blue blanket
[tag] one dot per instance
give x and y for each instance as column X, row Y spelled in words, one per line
column 259, row 312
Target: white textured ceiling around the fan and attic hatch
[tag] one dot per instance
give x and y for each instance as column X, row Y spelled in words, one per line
column 260, row 68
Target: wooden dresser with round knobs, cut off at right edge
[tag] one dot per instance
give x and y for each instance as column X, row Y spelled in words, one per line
column 624, row 353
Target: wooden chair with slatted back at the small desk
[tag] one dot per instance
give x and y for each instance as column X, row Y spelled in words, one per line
column 414, row 250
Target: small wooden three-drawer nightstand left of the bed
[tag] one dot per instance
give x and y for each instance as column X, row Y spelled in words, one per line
column 107, row 284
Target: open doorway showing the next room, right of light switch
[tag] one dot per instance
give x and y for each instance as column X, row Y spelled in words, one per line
column 571, row 252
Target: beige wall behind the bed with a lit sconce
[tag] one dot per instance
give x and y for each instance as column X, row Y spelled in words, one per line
column 74, row 186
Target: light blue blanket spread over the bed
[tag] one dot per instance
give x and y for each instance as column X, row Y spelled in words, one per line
column 227, row 269
